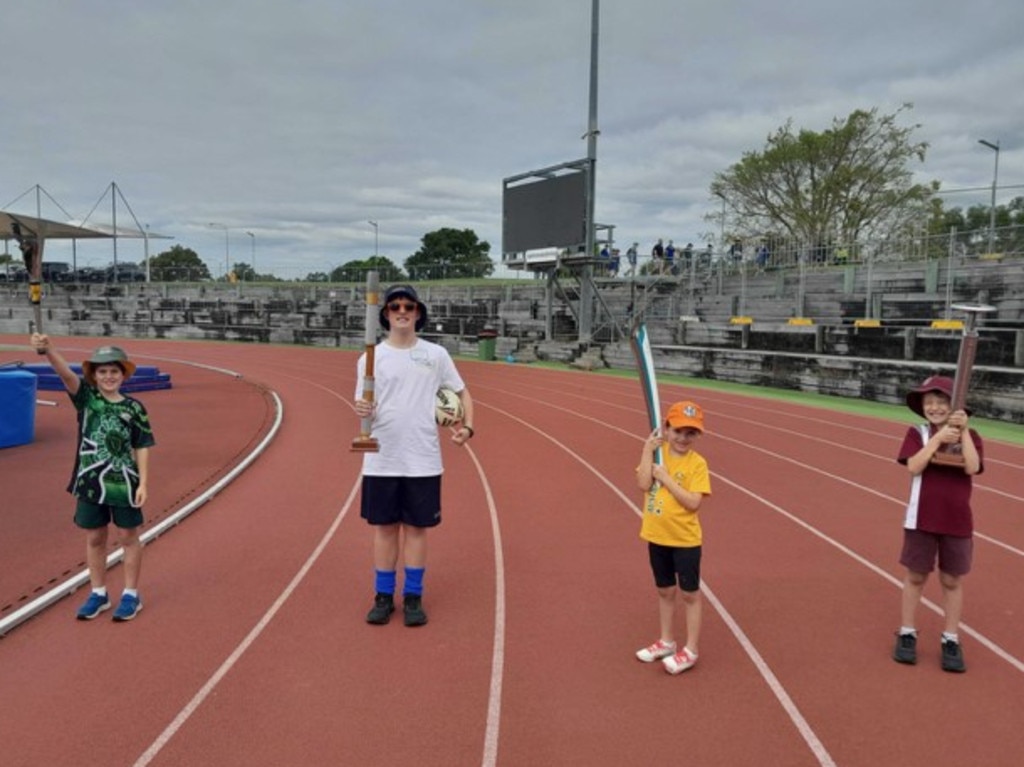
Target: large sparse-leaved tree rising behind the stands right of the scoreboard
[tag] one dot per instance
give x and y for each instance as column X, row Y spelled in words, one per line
column 848, row 182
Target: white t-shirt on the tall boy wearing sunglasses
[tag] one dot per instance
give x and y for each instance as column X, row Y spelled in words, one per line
column 406, row 383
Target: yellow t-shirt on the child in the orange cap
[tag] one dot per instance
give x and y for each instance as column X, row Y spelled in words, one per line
column 666, row 522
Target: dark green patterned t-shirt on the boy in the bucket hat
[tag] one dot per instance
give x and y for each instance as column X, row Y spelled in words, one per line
column 106, row 472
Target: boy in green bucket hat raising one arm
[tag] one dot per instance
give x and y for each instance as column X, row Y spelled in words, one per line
column 112, row 468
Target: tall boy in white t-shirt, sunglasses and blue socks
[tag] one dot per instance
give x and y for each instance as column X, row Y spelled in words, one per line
column 402, row 483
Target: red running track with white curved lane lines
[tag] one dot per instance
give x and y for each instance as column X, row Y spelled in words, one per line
column 253, row 649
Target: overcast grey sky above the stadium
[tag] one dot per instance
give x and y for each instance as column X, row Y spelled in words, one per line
column 303, row 121
